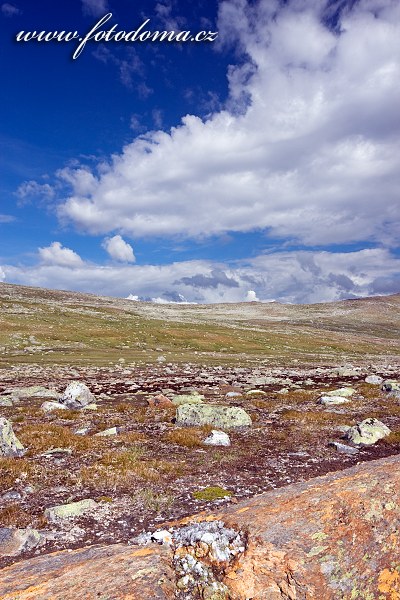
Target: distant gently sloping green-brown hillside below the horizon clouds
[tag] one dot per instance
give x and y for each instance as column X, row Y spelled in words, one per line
column 49, row 326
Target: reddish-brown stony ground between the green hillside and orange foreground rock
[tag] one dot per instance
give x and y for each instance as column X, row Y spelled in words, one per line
column 151, row 468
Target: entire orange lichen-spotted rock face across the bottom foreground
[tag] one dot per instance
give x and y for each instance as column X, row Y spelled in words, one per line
column 333, row 537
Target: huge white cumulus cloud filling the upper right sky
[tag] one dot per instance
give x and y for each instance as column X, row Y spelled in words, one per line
column 306, row 147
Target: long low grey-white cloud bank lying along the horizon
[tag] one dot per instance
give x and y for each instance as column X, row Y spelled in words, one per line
column 298, row 277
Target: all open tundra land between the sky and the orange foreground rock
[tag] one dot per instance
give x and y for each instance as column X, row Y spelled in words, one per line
column 154, row 464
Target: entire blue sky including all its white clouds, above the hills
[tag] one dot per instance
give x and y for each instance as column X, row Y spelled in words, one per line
column 261, row 165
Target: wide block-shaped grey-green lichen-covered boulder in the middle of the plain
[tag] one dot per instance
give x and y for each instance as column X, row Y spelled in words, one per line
column 223, row 417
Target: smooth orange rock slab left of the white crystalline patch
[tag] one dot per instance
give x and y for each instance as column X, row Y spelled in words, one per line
column 104, row 572
